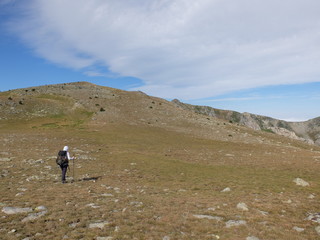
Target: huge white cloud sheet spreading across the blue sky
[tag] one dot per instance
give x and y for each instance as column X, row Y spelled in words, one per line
column 181, row 48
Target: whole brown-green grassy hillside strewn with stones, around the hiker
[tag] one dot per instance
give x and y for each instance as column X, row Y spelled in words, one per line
column 147, row 169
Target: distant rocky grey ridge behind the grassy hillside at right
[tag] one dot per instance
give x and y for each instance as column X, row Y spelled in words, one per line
column 308, row 131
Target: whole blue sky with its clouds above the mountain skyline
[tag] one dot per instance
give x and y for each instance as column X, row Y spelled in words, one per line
column 255, row 56
